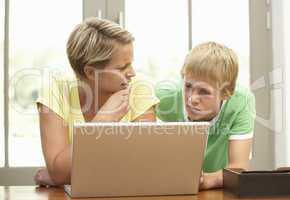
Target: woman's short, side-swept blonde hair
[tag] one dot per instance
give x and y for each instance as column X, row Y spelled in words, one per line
column 93, row 42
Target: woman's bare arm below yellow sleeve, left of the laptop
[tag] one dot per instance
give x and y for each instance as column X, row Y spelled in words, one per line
column 55, row 145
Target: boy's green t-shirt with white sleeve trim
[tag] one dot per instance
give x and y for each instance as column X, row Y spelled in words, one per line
column 235, row 120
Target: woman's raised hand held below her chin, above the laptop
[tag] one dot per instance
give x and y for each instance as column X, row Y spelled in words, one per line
column 115, row 107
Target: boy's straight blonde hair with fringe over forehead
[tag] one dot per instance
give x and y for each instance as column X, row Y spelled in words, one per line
column 214, row 63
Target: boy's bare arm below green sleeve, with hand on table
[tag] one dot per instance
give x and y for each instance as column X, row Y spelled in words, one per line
column 238, row 154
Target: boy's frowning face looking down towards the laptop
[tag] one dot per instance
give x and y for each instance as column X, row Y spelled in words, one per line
column 202, row 100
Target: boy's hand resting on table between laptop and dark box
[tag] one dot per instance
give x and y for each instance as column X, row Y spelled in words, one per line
column 210, row 181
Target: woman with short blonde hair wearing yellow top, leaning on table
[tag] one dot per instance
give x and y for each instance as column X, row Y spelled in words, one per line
column 104, row 89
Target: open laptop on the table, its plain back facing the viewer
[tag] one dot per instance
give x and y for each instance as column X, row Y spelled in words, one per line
column 137, row 159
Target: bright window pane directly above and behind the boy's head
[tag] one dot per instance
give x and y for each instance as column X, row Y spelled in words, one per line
column 226, row 22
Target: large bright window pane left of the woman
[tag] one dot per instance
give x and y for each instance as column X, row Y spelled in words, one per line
column 37, row 39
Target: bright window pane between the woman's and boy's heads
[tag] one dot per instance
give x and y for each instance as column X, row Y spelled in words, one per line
column 161, row 36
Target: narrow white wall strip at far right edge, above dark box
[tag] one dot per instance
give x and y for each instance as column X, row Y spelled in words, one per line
column 280, row 91
